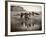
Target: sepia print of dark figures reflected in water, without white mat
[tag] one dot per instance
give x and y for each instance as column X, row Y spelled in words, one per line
column 26, row 18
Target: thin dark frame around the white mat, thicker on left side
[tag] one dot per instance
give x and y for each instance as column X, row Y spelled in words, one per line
column 6, row 18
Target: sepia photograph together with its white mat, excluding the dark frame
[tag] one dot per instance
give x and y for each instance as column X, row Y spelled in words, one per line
column 25, row 18
